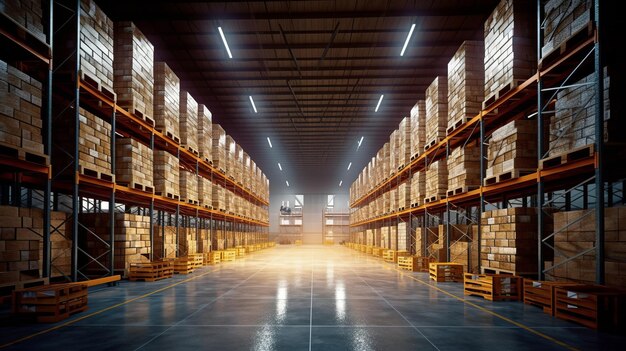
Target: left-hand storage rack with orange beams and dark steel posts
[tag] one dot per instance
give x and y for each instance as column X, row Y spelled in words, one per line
column 69, row 188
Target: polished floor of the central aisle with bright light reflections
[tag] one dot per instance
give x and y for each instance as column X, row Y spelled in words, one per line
column 301, row 298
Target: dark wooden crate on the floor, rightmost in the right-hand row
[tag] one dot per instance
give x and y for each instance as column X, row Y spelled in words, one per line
column 596, row 307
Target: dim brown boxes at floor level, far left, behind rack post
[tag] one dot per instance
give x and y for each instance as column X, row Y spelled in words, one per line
column 21, row 244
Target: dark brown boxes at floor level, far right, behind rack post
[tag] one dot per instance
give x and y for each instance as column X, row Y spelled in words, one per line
column 576, row 232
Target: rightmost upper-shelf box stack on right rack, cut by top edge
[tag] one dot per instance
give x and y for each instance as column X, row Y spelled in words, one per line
column 564, row 18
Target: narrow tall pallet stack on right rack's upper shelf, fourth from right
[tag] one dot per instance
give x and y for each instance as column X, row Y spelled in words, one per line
column 436, row 111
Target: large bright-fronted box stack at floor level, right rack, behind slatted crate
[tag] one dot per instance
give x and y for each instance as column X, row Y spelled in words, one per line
column 509, row 240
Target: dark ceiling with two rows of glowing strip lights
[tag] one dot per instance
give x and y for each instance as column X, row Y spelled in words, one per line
column 315, row 69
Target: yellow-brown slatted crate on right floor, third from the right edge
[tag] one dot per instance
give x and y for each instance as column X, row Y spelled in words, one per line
column 495, row 287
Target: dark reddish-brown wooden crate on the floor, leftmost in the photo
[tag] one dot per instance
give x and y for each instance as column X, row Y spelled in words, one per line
column 50, row 303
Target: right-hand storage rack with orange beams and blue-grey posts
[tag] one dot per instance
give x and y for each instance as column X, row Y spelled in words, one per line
column 533, row 98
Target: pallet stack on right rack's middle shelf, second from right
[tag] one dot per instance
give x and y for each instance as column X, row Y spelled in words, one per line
column 512, row 151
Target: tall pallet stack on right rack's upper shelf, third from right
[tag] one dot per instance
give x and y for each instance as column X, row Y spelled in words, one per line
column 466, row 79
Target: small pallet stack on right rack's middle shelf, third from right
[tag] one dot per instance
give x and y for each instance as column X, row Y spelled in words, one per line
column 464, row 168
